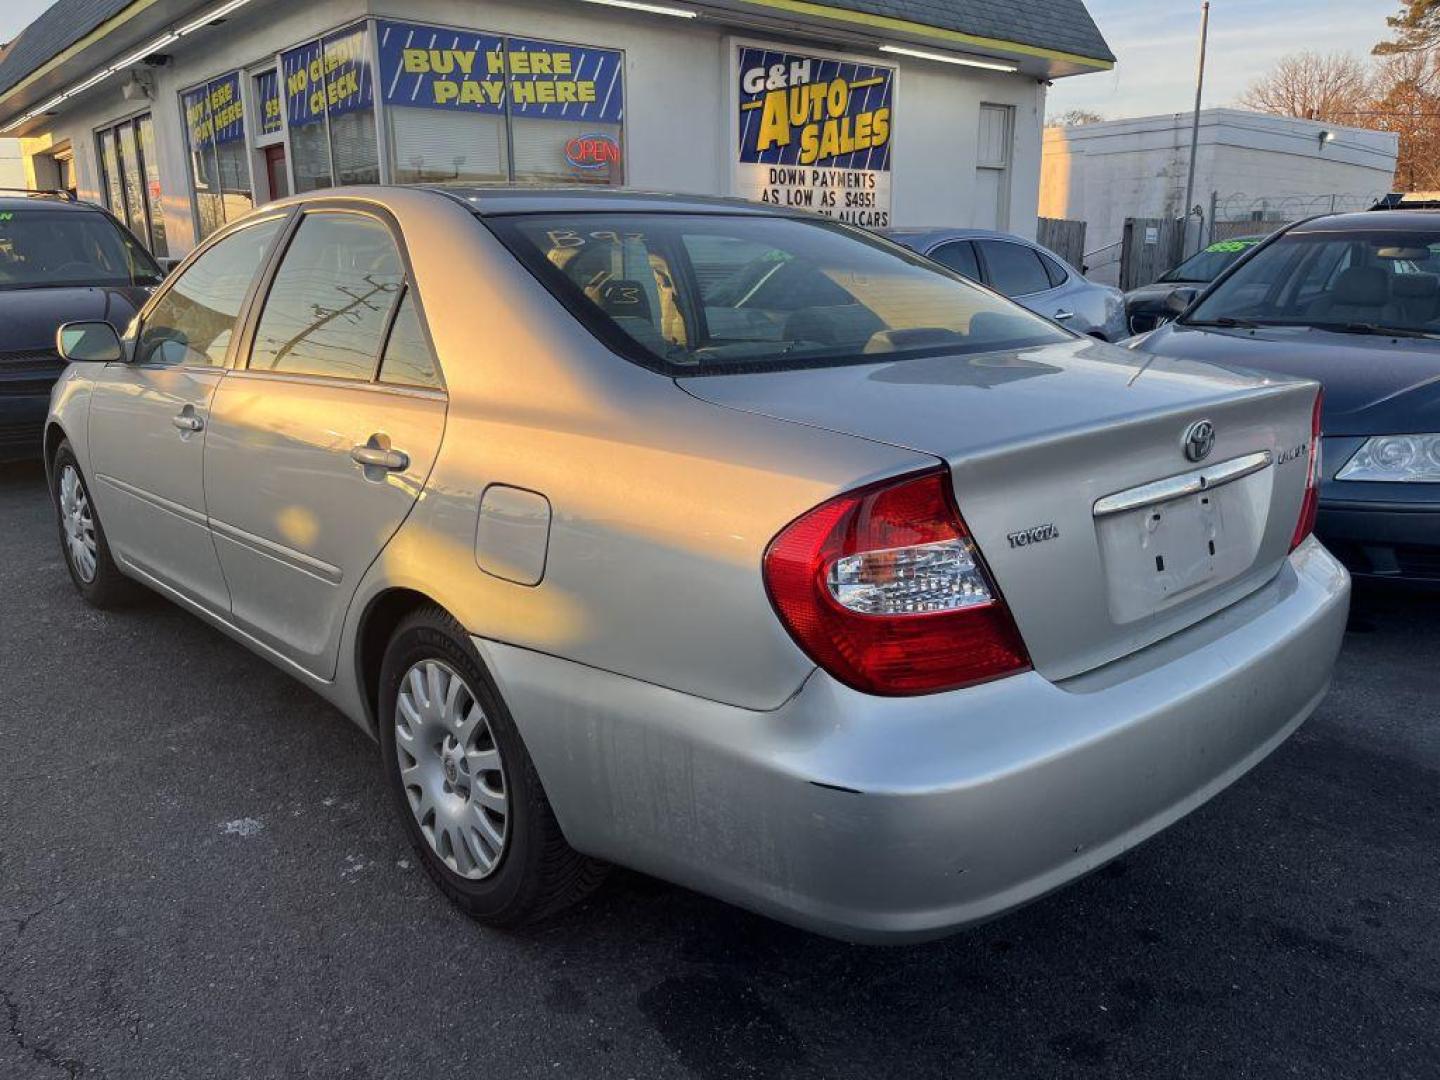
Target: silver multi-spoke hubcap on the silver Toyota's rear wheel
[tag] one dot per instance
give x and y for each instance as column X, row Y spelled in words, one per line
column 451, row 768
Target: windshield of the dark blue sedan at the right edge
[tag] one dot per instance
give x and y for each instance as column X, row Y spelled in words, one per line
column 1336, row 280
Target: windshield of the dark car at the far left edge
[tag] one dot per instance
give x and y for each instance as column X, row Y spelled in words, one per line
column 53, row 248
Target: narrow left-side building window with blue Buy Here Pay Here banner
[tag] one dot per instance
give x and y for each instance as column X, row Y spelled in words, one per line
column 220, row 159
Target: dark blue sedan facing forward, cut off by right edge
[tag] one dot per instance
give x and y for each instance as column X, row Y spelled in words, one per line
column 1351, row 300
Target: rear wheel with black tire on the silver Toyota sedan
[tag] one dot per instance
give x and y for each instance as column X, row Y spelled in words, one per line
column 464, row 786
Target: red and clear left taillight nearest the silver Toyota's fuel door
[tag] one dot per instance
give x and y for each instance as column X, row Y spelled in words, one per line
column 885, row 590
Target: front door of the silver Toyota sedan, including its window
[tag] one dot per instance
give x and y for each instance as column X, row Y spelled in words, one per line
column 148, row 418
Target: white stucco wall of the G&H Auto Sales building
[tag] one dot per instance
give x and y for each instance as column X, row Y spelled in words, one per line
column 678, row 109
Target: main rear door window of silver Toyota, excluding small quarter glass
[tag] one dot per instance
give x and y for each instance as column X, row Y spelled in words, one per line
column 332, row 299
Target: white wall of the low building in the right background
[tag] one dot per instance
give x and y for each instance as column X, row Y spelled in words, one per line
column 1104, row 174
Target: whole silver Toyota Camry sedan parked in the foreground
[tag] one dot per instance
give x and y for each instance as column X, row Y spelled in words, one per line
column 741, row 548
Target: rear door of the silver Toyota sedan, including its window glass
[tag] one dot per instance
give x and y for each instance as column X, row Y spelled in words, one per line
column 322, row 440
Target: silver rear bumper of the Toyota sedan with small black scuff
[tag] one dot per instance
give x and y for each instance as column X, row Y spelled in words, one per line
column 891, row 820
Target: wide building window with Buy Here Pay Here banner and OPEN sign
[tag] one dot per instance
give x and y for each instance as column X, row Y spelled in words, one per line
column 469, row 106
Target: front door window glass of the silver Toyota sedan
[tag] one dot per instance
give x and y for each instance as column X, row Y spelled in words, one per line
column 194, row 322
